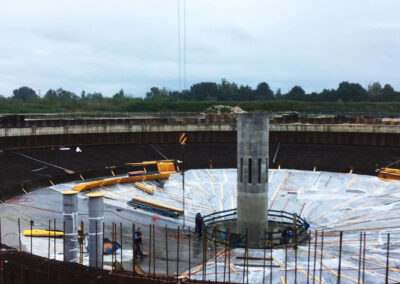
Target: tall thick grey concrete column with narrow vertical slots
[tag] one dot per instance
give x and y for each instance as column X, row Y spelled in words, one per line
column 252, row 175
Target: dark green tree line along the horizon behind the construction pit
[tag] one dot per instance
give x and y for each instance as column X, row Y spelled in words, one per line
column 200, row 95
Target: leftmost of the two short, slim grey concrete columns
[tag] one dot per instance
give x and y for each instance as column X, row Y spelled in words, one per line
column 70, row 211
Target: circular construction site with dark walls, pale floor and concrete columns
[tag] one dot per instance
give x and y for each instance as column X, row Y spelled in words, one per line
column 283, row 198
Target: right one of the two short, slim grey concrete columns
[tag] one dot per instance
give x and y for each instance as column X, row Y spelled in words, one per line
column 96, row 216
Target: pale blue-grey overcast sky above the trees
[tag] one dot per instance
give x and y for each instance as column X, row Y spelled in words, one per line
column 106, row 46
